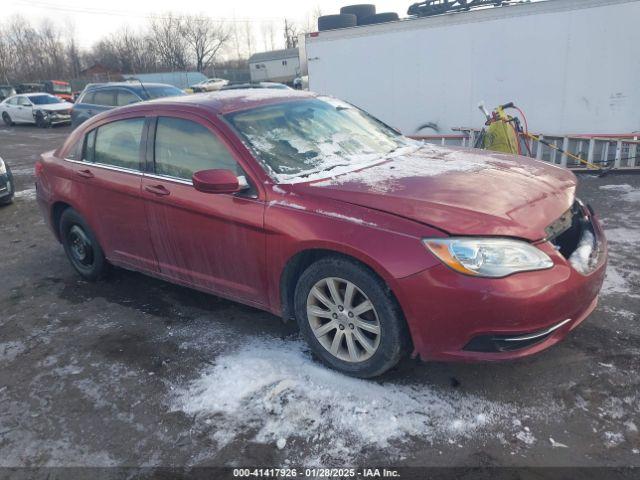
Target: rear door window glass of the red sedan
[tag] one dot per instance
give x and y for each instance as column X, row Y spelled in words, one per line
column 117, row 144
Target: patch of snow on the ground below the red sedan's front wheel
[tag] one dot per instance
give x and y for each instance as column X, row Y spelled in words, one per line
column 274, row 389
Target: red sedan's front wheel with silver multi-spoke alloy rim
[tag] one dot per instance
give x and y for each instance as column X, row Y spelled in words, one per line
column 349, row 318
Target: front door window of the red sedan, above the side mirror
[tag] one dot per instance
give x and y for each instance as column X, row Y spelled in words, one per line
column 184, row 147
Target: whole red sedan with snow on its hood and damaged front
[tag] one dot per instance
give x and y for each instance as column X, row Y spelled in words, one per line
column 305, row 206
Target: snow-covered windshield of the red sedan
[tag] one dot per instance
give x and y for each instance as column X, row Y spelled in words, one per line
column 300, row 138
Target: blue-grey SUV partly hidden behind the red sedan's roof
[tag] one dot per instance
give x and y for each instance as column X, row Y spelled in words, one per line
column 98, row 97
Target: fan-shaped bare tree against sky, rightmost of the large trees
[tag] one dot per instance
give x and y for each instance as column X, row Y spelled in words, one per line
column 205, row 39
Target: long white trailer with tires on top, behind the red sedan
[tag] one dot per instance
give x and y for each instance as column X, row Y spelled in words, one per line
column 573, row 66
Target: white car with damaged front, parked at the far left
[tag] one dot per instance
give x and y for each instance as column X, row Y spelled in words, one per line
column 42, row 109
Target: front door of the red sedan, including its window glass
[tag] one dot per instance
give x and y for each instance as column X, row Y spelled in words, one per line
column 215, row 242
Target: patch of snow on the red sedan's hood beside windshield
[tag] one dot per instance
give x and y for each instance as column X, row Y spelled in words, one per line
column 426, row 161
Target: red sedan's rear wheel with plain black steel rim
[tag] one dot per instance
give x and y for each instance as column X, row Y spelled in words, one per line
column 81, row 246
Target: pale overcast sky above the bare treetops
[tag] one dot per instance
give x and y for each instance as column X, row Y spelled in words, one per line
column 92, row 19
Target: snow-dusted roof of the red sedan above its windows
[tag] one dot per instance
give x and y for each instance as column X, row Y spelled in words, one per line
column 227, row 101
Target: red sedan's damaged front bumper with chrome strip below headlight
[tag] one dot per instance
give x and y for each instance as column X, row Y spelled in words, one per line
column 465, row 318
